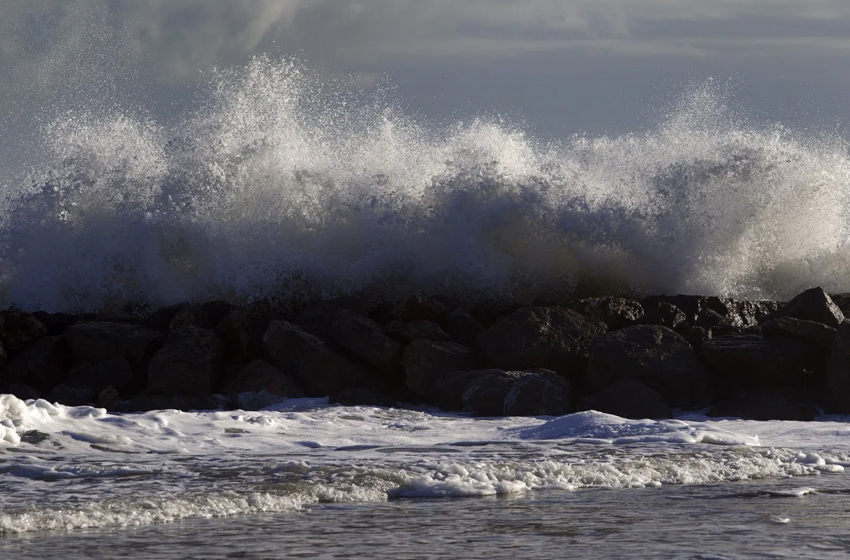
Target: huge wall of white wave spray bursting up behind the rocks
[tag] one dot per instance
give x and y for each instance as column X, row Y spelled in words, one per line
column 277, row 185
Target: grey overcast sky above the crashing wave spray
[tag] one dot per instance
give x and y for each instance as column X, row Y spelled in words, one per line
column 564, row 66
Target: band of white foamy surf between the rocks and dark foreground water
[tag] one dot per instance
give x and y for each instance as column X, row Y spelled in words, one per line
column 64, row 468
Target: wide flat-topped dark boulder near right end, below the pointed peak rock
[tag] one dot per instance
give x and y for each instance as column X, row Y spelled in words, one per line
column 757, row 362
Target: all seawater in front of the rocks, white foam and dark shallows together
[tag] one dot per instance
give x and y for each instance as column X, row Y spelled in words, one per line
column 304, row 479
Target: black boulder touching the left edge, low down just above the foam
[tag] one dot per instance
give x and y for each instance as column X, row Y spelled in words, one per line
column 42, row 364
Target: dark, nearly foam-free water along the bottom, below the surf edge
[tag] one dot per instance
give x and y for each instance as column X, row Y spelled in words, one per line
column 723, row 521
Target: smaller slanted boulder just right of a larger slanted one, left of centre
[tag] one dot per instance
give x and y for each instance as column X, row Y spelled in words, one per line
column 364, row 338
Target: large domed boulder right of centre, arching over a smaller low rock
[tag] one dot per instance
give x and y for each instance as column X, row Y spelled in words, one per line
column 654, row 355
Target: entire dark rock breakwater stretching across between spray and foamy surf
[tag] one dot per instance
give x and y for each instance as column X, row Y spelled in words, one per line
column 639, row 359
